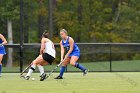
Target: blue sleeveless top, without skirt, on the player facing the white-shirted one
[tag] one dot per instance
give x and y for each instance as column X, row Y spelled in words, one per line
column 66, row 45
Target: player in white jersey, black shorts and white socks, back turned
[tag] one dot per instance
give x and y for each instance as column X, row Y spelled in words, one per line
column 46, row 57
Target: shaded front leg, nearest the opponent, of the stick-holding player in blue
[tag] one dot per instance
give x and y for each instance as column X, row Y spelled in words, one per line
column 62, row 68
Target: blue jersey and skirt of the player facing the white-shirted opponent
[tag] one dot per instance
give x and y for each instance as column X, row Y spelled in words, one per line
column 75, row 51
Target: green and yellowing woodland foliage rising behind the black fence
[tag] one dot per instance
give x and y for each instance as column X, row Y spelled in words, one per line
column 86, row 20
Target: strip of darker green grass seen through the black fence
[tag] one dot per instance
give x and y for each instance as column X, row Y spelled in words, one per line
column 129, row 65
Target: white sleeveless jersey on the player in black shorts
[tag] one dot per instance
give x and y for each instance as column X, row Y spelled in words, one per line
column 50, row 49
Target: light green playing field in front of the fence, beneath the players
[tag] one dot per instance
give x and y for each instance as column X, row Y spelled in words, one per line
column 116, row 82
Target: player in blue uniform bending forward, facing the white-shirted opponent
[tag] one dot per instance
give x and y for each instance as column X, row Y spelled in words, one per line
column 68, row 45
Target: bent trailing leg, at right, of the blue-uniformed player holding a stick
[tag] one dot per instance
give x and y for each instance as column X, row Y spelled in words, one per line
column 73, row 62
